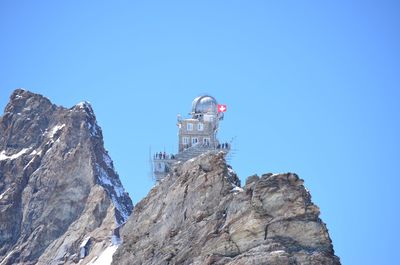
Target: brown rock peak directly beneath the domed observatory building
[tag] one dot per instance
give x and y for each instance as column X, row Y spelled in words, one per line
column 199, row 215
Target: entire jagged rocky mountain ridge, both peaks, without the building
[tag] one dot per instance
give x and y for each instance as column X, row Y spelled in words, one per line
column 62, row 202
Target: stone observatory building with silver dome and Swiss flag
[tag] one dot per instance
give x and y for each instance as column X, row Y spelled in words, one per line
column 197, row 135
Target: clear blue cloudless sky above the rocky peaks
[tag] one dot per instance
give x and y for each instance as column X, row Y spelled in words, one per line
column 311, row 87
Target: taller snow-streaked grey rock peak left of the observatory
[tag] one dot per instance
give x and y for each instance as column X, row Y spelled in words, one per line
column 60, row 196
